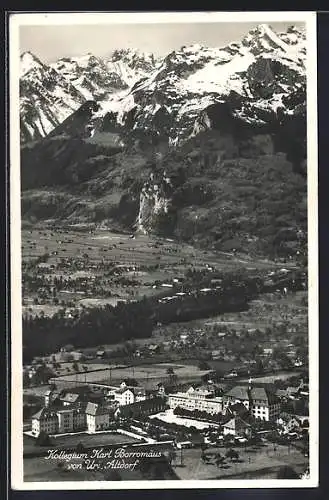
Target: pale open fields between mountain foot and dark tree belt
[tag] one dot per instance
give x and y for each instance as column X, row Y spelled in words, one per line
column 142, row 264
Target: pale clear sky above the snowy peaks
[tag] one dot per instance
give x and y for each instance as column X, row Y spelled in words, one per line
column 50, row 42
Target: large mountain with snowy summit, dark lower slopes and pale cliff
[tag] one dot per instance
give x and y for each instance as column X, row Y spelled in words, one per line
column 210, row 148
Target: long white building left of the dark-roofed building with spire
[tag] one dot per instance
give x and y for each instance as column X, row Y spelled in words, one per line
column 196, row 399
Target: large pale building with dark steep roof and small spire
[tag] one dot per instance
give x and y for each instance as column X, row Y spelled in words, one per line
column 261, row 401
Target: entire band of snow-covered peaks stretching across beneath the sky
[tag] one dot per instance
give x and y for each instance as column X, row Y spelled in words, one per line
column 170, row 98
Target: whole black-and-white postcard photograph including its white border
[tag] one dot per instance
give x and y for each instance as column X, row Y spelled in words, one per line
column 163, row 250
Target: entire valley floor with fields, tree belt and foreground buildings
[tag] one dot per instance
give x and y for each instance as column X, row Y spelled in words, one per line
column 212, row 371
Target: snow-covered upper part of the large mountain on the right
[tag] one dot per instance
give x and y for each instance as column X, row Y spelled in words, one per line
column 255, row 76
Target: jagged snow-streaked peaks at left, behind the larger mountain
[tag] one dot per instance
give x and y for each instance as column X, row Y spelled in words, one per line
column 50, row 93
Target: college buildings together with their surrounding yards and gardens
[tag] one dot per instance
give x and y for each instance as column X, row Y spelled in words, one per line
column 233, row 416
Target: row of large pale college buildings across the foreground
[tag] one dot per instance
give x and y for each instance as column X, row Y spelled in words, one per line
column 83, row 409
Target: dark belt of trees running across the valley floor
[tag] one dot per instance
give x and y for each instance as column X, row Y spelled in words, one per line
column 109, row 324
